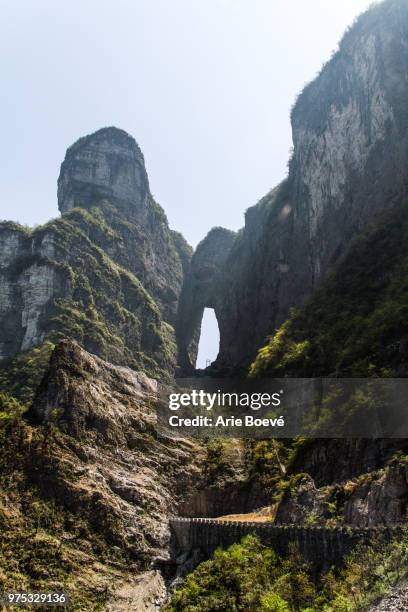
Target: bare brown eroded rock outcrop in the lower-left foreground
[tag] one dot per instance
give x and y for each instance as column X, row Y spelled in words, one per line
column 109, row 461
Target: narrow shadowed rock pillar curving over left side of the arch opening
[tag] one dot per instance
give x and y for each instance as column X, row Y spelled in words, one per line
column 201, row 290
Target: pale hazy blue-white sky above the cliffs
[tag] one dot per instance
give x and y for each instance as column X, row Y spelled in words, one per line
column 204, row 86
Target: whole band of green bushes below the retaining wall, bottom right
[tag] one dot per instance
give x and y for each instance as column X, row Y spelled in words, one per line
column 249, row 576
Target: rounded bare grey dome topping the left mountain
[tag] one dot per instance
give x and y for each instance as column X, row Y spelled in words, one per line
column 105, row 165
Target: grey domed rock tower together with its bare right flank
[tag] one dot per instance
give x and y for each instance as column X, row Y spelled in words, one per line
column 106, row 170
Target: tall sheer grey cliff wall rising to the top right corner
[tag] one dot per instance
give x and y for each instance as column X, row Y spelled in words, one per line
column 350, row 161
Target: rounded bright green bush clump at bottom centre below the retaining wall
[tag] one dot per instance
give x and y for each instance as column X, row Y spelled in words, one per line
column 246, row 576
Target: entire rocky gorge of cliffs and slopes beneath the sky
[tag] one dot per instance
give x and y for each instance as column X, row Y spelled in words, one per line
column 101, row 308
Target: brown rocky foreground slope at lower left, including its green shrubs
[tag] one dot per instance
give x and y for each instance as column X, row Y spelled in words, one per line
column 87, row 484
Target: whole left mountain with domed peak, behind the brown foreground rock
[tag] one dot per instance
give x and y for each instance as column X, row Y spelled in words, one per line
column 108, row 273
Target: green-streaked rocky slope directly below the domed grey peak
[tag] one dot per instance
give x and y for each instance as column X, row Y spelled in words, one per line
column 96, row 301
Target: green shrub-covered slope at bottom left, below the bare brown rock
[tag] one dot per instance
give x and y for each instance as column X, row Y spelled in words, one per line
column 44, row 546
